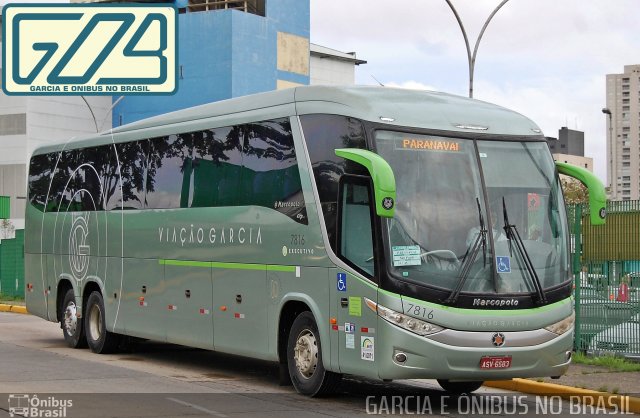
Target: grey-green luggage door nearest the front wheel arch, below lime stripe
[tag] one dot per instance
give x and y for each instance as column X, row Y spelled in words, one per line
column 240, row 310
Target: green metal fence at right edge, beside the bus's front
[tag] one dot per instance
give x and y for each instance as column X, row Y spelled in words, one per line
column 606, row 264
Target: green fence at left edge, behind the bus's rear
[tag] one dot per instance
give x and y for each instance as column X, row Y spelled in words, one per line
column 12, row 265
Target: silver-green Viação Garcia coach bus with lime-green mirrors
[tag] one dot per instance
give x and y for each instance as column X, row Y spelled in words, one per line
column 377, row 232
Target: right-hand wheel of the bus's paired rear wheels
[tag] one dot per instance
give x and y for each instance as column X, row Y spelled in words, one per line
column 99, row 339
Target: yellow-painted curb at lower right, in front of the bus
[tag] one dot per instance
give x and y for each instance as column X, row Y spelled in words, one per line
column 621, row 403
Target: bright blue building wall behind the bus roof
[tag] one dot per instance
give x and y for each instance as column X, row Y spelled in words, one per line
column 224, row 54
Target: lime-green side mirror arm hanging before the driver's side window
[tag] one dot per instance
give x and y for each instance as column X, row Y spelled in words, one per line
column 384, row 182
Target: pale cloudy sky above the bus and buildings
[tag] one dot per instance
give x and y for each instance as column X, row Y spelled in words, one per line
column 546, row 59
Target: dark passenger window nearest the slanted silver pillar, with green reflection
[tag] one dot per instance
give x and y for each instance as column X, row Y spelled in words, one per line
column 271, row 177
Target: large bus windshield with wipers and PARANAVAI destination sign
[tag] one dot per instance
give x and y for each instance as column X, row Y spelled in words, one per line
column 474, row 216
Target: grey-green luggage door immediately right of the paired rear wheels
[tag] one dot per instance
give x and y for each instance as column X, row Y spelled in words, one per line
column 143, row 303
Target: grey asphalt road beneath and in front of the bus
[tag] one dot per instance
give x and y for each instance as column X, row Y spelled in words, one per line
column 40, row 373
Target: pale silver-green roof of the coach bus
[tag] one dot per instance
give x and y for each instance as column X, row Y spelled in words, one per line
column 391, row 106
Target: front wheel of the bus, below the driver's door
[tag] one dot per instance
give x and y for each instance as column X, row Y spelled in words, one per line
column 304, row 359
